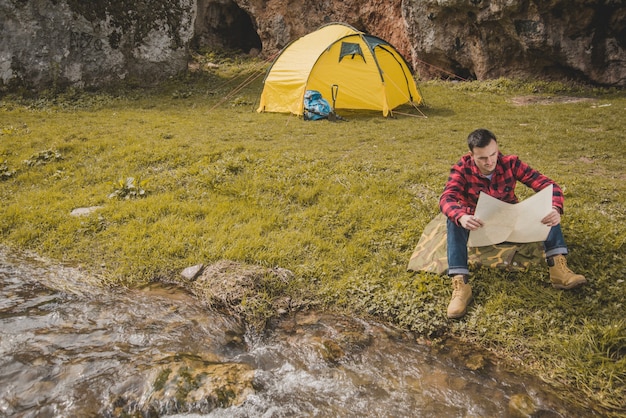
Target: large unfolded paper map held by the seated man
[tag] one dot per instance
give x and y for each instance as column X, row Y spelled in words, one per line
column 520, row 222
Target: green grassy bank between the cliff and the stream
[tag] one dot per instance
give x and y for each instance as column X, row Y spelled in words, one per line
column 341, row 205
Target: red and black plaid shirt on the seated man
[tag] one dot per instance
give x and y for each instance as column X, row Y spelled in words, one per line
column 465, row 182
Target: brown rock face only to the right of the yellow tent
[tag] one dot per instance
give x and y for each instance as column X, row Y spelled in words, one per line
column 538, row 38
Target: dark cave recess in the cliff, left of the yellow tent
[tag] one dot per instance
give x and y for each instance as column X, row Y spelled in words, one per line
column 224, row 25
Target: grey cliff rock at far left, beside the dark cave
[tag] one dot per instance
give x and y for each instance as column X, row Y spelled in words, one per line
column 56, row 43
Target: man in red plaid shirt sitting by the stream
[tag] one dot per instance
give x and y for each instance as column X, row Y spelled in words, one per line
column 485, row 169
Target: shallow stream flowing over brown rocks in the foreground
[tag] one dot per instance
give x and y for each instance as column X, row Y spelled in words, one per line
column 70, row 348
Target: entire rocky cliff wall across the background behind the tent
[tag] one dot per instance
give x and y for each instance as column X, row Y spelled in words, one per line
column 47, row 43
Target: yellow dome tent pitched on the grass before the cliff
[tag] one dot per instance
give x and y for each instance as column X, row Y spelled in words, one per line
column 367, row 71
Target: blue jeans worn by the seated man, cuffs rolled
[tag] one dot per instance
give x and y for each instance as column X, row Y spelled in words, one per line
column 457, row 246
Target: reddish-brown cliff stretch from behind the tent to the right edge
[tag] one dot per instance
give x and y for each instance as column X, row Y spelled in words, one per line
column 475, row 39
